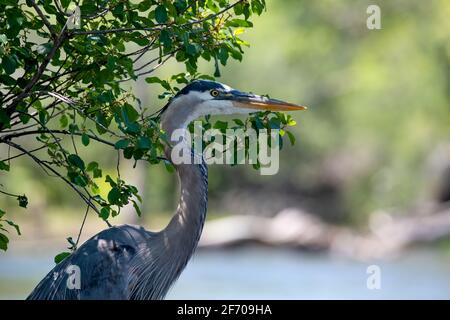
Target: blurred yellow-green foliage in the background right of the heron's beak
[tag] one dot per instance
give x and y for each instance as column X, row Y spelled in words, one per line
column 379, row 100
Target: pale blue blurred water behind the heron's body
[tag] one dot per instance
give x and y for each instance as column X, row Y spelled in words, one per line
column 256, row 273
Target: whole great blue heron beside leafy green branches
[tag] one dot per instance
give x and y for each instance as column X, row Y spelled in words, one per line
column 129, row 262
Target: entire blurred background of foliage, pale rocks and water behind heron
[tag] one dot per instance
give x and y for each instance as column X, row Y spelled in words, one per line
column 367, row 182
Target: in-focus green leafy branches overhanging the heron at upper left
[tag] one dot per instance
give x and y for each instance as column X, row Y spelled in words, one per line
column 62, row 67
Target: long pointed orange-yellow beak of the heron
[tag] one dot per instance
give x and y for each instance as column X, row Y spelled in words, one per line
column 252, row 101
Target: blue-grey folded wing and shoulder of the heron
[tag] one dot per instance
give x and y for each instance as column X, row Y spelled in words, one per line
column 103, row 263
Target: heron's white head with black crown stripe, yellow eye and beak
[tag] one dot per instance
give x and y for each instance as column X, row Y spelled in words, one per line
column 206, row 97
